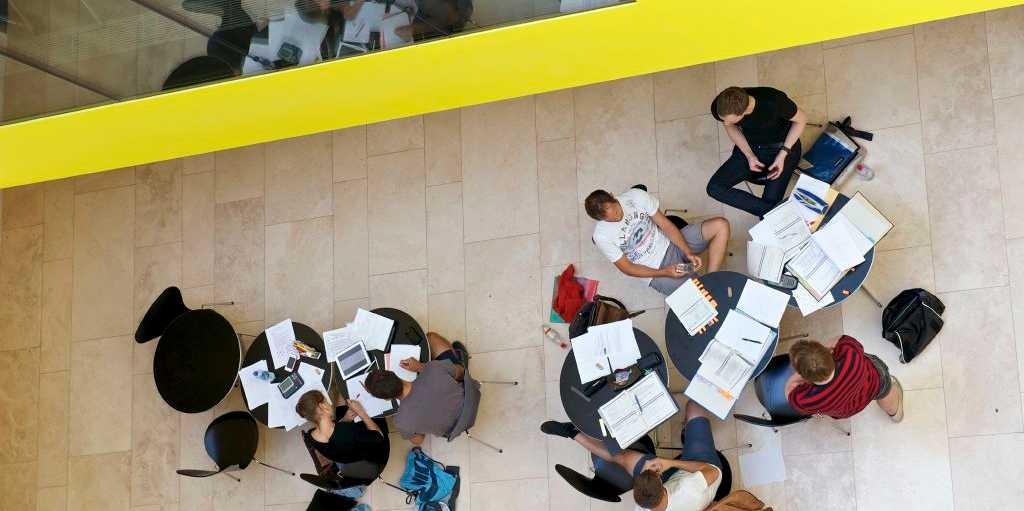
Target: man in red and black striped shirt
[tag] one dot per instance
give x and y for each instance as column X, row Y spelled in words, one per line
column 838, row 379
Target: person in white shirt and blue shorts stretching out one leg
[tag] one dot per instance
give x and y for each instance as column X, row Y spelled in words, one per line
column 686, row 484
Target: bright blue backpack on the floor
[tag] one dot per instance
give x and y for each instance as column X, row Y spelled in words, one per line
column 434, row 486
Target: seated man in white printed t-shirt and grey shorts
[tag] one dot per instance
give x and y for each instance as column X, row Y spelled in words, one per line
column 634, row 235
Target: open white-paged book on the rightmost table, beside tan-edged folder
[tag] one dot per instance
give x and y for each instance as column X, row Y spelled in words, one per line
column 823, row 263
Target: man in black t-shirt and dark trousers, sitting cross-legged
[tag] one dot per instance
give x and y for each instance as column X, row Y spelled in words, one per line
column 765, row 125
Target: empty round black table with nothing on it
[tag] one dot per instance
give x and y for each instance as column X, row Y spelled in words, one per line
column 197, row 361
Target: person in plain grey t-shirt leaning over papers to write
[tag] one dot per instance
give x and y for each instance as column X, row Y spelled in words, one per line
column 432, row 404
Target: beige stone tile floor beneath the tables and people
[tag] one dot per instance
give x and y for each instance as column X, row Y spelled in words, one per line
column 463, row 219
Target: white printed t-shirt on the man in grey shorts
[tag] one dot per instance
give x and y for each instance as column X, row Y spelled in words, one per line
column 636, row 236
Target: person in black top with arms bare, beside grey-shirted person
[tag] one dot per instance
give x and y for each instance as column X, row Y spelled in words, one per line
column 337, row 437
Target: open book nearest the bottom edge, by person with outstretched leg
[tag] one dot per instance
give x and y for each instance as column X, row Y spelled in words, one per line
column 636, row 411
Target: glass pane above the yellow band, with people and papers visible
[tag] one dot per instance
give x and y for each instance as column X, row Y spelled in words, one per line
column 62, row 55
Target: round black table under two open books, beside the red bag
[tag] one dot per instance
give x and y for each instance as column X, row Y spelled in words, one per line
column 583, row 414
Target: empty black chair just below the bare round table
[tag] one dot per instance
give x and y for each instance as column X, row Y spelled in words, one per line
column 231, row 441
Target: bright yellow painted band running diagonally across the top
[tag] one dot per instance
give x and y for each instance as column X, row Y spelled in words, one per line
column 510, row 62
